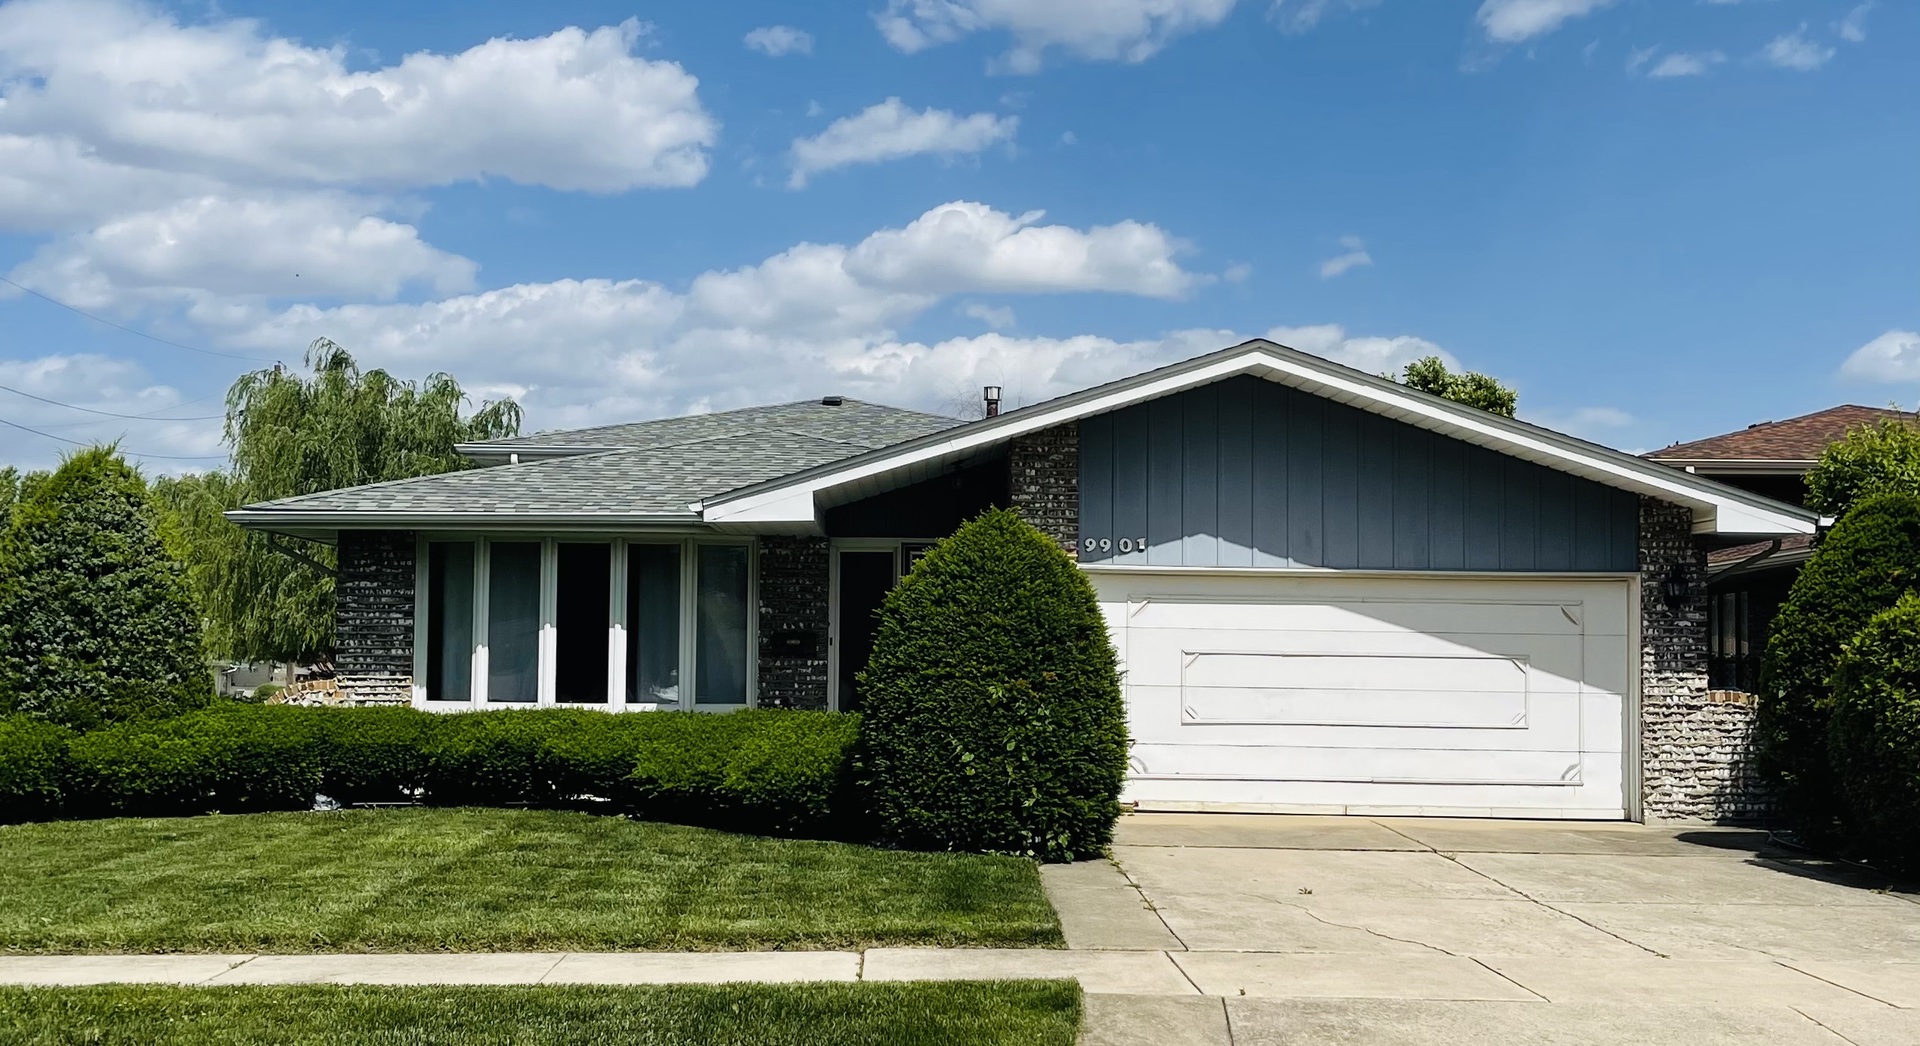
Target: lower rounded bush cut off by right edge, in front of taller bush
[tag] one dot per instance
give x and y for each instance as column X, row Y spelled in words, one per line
column 1875, row 736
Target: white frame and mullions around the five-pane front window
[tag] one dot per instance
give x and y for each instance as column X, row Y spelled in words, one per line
column 617, row 625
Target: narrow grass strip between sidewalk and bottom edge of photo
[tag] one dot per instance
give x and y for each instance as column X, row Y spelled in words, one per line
column 924, row 1014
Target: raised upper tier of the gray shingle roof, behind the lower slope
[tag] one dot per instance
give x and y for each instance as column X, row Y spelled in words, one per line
column 865, row 425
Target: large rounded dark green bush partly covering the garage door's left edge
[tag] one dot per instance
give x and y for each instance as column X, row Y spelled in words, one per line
column 992, row 711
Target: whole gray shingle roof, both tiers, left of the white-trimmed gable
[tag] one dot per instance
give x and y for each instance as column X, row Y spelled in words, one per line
column 660, row 469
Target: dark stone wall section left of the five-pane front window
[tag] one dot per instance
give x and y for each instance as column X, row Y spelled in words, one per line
column 373, row 611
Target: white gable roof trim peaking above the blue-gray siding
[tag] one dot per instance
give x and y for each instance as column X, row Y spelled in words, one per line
column 1717, row 510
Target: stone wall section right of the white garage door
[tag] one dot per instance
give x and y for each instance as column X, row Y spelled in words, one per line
column 1696, row 746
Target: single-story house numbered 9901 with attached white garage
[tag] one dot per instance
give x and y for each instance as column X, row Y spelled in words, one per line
column 1330, row 592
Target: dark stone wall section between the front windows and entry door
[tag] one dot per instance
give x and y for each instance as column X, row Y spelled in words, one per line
column 794, row 598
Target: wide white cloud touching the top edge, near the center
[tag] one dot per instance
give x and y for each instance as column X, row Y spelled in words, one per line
column 1093, row 30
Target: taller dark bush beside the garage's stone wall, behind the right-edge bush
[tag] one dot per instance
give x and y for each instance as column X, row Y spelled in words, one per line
column 1863, row 567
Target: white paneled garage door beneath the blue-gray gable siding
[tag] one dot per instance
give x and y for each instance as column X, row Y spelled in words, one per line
column 1376, row 696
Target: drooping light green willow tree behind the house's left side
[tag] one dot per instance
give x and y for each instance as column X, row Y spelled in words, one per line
column 302, row 433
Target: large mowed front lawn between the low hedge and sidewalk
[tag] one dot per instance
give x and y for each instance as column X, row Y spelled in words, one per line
column 489, row 880
